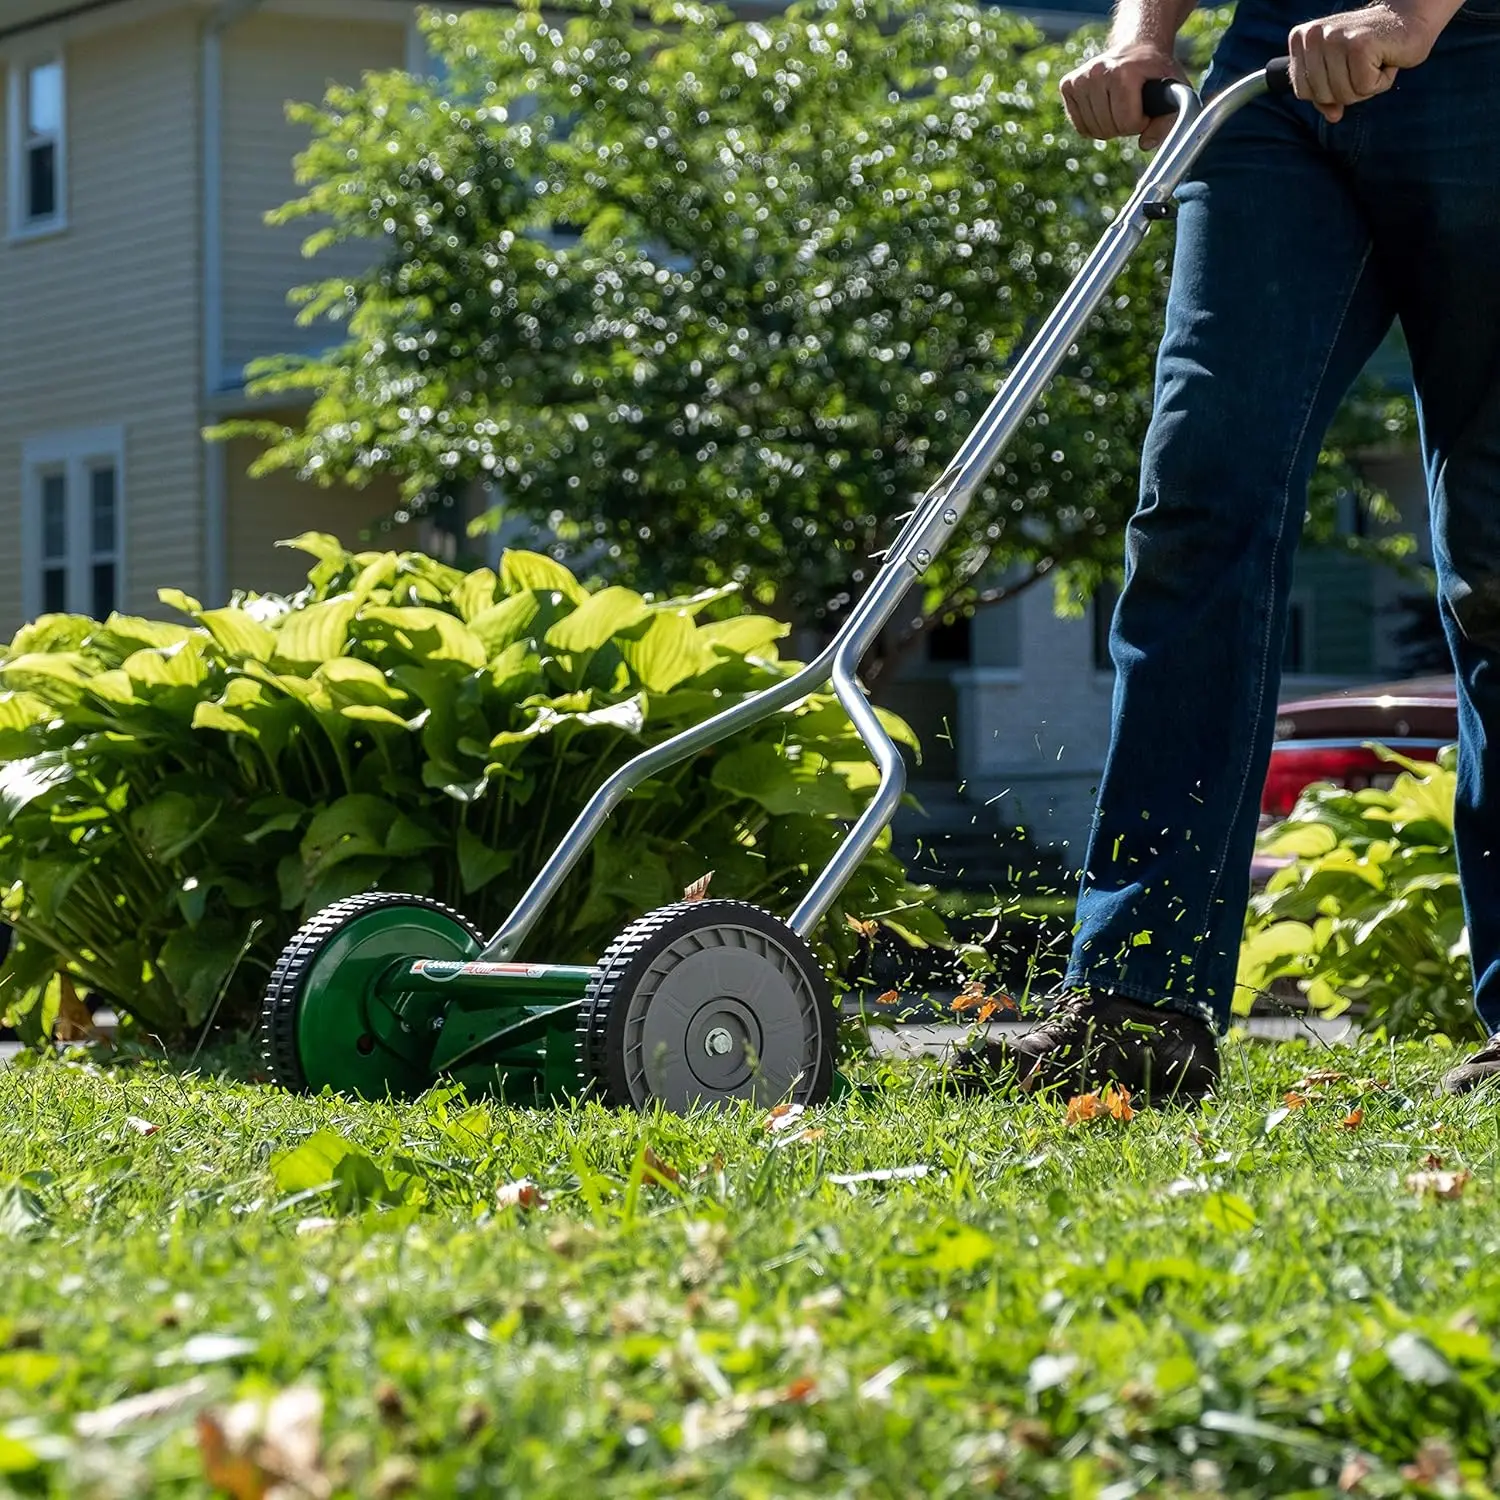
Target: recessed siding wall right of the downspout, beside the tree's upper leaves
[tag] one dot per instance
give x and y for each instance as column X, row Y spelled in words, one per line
column 269, row 61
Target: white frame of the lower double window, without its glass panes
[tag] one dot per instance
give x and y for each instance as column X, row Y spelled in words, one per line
column 76, row 454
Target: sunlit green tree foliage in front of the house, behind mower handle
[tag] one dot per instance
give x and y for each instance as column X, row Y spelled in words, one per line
column 713, row 302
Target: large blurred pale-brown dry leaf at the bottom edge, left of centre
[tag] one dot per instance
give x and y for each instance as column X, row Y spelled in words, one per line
column 262, row 1450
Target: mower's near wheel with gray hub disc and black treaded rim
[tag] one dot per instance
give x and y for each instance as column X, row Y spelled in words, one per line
column 704, row 1003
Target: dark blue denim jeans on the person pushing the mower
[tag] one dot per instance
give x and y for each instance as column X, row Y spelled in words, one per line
column 1298, row 245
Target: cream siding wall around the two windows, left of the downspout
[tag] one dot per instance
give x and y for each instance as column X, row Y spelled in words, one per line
column 100, row 325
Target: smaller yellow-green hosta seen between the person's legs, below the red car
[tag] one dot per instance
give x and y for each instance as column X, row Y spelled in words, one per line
column 1369, row 910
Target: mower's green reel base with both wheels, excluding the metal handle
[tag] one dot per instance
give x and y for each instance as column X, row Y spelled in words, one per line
column 383, row 995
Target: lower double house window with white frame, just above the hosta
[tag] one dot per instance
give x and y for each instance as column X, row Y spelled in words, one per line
column 73, row 526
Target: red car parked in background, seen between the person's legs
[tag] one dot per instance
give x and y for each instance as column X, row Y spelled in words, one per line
column 1324, row 739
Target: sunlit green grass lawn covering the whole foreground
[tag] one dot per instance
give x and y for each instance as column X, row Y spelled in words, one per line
column 1246, row 1300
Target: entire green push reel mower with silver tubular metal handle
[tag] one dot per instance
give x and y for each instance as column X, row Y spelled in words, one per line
column 703, row 1001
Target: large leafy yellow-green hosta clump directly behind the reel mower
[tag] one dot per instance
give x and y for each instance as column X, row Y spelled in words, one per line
column 176, row 799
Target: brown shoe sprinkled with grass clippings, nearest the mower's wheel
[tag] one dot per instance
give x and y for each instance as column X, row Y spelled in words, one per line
column 1091, row 1040
